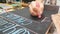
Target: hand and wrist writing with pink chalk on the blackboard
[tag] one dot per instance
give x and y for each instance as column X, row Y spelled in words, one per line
column 36, row 11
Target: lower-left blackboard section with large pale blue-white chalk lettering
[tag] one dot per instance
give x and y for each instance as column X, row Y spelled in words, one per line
column 8, row 27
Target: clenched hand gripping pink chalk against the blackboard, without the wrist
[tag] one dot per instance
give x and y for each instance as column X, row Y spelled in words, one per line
column 36, row 8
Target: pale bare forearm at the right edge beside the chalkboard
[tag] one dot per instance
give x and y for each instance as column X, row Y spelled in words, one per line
column 56, row 21
